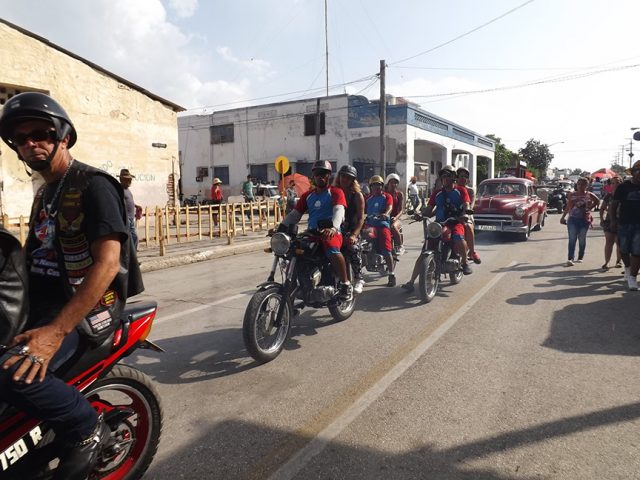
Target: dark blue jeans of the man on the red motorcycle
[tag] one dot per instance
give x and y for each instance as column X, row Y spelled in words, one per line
column 69, row 414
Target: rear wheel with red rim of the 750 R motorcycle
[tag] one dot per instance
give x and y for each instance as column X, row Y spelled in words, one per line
column 135, row 436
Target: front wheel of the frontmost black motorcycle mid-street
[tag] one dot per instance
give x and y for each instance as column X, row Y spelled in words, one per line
column 263, row 338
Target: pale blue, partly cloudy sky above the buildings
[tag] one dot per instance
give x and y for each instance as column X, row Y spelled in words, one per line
column 219, row 55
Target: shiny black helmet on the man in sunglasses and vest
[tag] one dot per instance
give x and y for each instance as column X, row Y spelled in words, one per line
column 35, row 106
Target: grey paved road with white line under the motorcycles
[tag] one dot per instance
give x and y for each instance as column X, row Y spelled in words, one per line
column 526, row 370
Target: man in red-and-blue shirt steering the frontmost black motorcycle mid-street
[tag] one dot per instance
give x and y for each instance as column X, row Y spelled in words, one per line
column 325, row 204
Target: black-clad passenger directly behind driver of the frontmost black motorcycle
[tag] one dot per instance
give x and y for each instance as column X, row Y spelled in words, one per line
column 353, row 221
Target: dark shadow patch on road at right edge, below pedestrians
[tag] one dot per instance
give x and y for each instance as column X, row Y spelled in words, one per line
column 606, row 327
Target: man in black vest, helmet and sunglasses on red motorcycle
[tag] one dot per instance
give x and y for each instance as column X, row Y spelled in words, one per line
column 78, row 252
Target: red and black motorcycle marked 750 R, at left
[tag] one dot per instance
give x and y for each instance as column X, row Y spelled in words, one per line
column 125, row 396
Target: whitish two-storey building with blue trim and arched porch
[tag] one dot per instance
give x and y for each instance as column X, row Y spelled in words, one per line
column 232, row 144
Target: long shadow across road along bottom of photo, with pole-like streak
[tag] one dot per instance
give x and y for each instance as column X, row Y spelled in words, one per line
column 238, row 450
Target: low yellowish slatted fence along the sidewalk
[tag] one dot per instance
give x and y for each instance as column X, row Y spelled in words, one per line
column 161, row 226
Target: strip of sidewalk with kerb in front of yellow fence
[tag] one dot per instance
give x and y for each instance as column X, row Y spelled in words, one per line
column 199, row 251
